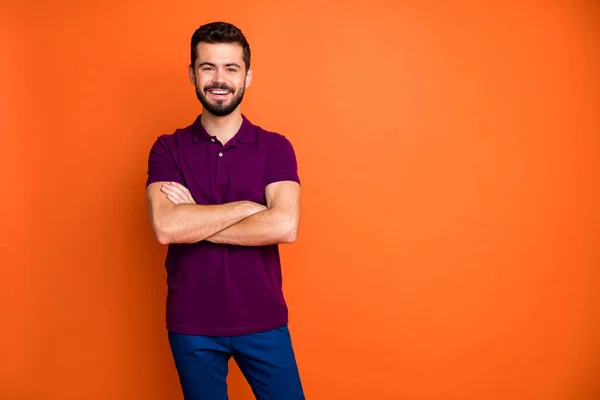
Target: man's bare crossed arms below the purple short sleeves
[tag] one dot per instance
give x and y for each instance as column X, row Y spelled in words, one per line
column 175, row 218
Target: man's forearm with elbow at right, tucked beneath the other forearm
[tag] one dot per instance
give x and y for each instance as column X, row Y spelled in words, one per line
column 265, row 228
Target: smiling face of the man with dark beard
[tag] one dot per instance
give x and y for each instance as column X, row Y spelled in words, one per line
column 220, row 77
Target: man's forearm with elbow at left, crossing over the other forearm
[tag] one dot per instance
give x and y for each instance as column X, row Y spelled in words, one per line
column 191, row 223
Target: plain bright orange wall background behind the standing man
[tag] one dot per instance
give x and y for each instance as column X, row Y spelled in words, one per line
column 449, row 155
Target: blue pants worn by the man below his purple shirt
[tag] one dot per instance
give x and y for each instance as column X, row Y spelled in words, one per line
column 266, row 359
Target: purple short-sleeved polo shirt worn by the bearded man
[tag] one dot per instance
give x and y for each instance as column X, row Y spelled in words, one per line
column 216, row 289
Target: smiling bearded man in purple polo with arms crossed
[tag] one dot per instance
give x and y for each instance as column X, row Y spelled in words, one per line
column 223, row 193
